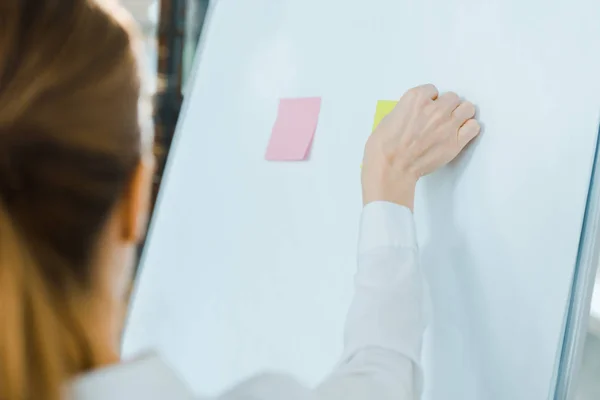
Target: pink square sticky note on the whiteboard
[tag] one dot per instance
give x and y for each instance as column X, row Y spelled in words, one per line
column 294, row 129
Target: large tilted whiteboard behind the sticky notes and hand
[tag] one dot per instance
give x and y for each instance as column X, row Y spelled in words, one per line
column 249, row 263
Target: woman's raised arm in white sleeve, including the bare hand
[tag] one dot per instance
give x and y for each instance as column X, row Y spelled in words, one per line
column 387, row 319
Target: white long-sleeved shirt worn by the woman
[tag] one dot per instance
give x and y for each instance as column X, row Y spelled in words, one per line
column 382, row 344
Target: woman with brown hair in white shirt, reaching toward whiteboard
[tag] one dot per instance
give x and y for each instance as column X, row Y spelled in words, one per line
column 75, row 177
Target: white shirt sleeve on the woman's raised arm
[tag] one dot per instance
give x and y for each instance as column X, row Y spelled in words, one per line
column 385, row 324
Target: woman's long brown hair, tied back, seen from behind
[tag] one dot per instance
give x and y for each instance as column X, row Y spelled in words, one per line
column 69, row 142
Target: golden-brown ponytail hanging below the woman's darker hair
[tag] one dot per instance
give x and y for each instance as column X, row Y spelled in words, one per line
column 39, row 351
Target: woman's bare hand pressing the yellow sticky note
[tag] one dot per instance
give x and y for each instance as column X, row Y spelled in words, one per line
column 423, row 133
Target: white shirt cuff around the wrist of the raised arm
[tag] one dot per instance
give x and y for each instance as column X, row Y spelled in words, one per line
column 385, row 224
